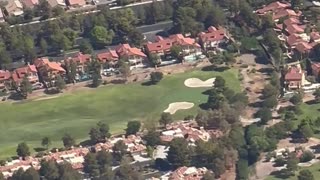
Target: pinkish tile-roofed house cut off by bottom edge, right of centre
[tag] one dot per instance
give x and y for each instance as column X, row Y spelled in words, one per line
column 188, row 173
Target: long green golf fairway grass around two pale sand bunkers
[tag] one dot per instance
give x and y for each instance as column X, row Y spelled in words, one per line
column 114, row 104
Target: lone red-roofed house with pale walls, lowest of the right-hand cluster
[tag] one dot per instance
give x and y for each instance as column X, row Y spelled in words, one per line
column 293, row 78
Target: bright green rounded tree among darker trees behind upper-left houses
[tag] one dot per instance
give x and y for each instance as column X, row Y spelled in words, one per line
column 99, row 36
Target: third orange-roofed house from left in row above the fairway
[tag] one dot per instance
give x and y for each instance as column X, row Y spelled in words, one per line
column 48, row 70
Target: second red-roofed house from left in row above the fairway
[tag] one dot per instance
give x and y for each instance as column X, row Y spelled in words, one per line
column 29, row 71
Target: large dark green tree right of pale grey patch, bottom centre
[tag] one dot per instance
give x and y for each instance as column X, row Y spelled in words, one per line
column 179, row 153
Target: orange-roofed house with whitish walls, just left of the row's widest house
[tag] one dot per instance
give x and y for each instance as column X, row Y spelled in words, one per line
column 134, row 55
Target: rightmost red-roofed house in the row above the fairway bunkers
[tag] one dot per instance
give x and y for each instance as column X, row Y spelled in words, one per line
column 211, row 39
